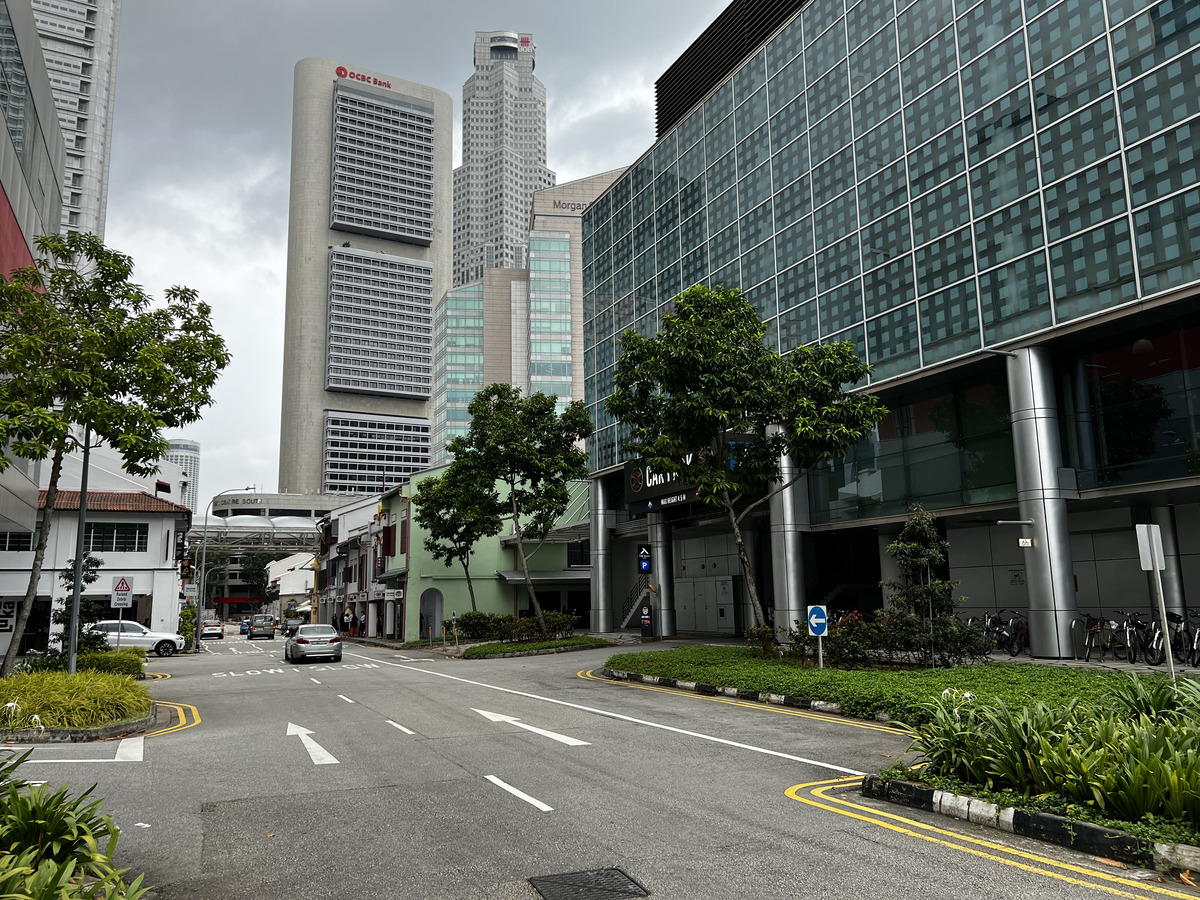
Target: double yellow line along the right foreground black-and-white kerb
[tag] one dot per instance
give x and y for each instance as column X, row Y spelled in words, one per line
column 818, row 794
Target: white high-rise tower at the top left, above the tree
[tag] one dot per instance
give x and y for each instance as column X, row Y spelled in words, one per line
column 80, row 44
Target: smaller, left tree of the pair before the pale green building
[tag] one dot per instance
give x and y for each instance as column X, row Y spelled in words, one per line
column 457, row 511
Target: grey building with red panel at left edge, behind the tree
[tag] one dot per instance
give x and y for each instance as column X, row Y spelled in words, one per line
column 32, row 160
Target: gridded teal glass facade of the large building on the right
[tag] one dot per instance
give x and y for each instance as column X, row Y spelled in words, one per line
column 921, row 179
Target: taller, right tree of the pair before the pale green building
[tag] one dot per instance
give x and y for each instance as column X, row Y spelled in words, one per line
column 530, row 449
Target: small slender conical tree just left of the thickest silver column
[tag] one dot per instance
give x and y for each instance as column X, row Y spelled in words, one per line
column 922, row 555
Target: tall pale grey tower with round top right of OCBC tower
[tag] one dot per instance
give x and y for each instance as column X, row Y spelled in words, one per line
column 503, row 157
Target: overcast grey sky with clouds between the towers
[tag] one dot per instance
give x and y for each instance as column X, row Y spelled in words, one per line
column 199, row 187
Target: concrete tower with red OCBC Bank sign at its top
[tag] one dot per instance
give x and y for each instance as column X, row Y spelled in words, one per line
column 369, row 250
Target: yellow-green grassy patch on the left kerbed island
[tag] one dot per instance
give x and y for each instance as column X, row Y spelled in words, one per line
column 86, row 700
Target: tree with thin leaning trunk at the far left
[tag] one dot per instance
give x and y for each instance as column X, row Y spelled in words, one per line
column 85, row 346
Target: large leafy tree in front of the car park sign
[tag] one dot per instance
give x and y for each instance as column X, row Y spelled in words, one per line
column 706, row 399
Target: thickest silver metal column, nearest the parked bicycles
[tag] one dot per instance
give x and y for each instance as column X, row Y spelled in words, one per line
column 1037, row 453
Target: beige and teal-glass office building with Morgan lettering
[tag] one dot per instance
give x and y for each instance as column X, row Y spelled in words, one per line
column 520, row 327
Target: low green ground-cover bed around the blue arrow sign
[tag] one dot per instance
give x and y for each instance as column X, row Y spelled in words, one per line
column 868, row 694
